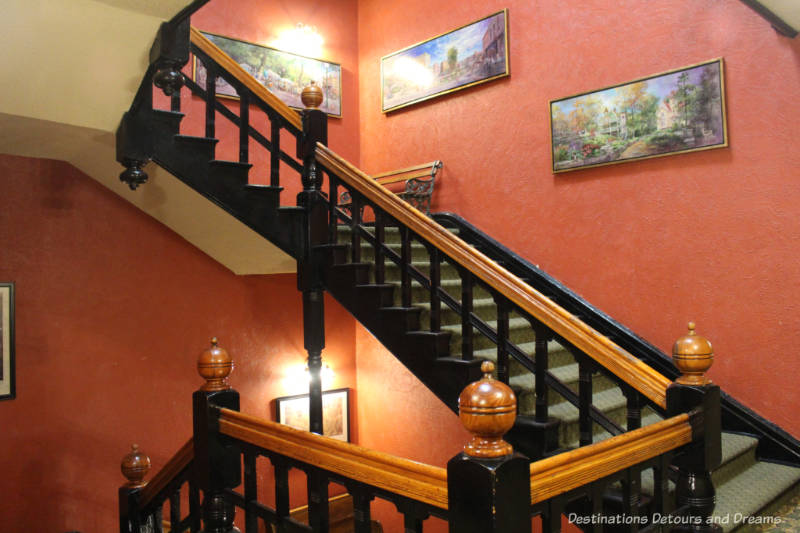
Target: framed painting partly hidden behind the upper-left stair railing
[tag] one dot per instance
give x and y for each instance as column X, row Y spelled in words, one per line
column 283, row 73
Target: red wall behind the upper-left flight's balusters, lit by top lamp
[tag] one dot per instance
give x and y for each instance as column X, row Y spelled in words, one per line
column 261, row 22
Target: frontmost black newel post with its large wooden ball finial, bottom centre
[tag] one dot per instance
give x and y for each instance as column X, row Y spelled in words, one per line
column 488, row 484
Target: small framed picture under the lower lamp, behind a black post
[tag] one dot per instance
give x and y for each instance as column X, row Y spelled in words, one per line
column 293, row 411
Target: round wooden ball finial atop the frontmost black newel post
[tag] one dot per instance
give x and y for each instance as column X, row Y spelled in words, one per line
column 487, row 409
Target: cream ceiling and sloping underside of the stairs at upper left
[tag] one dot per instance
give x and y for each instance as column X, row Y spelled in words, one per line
column 75, row 69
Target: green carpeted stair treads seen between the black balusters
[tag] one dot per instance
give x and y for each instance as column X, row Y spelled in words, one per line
column 745, row 485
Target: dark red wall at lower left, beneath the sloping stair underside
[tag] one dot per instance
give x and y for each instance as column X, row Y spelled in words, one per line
column 112, row 310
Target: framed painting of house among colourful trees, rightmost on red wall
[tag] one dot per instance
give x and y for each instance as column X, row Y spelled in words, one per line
column 678, row 111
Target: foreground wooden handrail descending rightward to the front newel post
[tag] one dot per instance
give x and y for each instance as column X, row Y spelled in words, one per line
column 407, row 478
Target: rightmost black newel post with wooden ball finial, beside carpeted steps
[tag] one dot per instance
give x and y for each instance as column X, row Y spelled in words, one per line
column 693, row 356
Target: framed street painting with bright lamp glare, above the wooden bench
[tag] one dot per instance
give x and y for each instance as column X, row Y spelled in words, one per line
column 473, row 54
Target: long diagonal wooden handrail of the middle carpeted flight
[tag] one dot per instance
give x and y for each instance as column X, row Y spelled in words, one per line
column 634, row 372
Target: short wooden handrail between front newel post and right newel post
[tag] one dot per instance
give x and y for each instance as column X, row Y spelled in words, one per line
column 566, row 471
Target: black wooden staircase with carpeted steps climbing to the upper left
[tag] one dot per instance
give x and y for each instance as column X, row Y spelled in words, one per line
column 439, row 317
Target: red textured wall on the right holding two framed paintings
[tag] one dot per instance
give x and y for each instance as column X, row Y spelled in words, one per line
column 710, row 236
